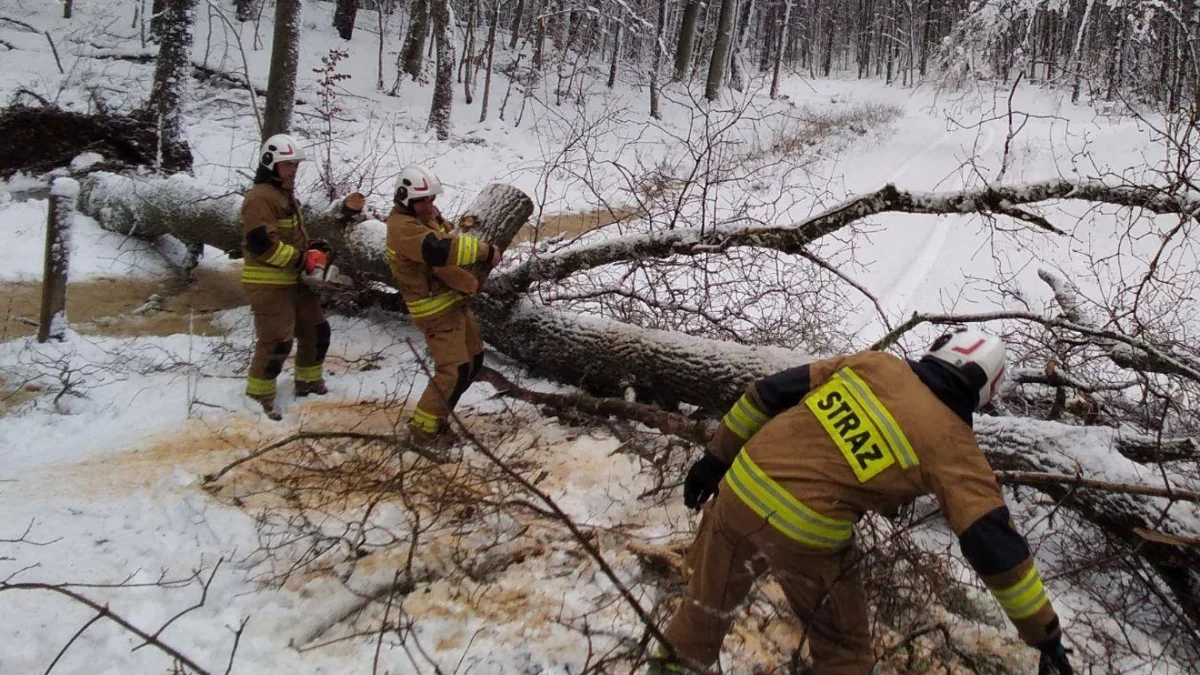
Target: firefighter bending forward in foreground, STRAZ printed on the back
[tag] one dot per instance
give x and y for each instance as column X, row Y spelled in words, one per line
column 806, row 453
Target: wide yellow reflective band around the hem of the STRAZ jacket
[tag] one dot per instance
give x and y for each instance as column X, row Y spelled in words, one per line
column 788, row 515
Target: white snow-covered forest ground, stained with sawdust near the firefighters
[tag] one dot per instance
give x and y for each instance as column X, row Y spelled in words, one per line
column 107, row 476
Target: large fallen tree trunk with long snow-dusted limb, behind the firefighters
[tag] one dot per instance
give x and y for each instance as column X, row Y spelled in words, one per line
column 611, row 357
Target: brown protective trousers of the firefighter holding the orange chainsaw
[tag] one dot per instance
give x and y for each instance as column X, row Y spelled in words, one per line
column 283, row 314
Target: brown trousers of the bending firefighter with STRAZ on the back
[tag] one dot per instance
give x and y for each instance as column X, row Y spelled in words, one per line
column 733, row 548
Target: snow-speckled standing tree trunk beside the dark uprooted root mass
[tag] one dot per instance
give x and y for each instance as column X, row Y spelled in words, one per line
column 172, row 73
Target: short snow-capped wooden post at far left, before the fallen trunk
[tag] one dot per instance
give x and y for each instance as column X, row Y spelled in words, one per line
column 53, row 322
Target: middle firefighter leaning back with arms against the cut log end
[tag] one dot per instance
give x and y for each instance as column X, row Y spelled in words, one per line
column 429, row 265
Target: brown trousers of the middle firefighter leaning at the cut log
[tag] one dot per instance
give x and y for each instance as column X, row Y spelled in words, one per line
column 458, row 351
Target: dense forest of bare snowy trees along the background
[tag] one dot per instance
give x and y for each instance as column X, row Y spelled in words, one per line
column 1137, row 50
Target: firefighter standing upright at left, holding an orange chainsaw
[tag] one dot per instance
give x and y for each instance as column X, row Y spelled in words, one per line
column 278, row 252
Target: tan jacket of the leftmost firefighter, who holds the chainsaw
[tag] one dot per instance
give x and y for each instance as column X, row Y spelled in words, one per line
column 274, row 238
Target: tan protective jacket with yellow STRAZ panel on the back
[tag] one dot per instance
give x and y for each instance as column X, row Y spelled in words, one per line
column 839, row 438
